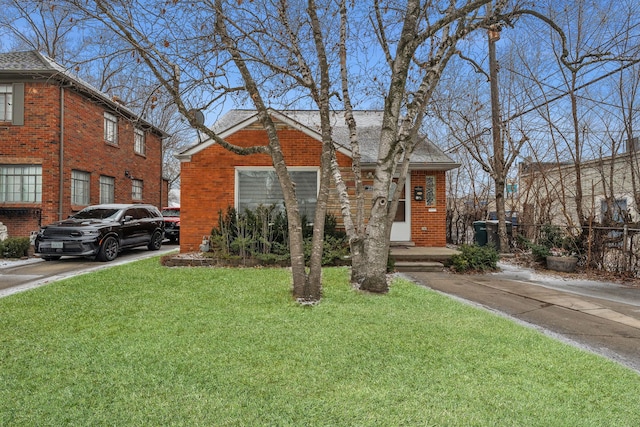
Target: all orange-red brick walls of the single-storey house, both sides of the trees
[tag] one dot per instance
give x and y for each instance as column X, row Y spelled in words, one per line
column 207, row 186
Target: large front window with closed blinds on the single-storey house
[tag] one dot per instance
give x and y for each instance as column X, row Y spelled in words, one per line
column 261, row 187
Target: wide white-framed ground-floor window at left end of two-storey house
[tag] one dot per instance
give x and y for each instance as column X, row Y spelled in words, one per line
column 20, row 183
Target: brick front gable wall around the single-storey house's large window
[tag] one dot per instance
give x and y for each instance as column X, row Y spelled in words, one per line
column 208, row 180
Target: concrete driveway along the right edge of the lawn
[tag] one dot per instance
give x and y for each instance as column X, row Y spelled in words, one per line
column 602, row 325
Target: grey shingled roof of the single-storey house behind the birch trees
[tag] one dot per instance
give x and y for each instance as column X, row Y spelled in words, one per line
column 426, row 155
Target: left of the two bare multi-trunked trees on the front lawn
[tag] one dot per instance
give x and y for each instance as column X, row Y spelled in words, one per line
column 202, row 53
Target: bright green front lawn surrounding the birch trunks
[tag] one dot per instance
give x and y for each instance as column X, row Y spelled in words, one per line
column 141, row 344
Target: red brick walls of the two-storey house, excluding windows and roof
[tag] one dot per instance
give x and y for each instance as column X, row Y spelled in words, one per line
column 38, row 142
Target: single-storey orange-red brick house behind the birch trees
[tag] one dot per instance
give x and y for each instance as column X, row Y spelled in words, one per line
column 213, row 178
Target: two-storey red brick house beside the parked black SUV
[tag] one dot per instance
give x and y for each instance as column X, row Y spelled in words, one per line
column 65, row 145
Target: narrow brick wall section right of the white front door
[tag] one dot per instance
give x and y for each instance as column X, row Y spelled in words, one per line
column 433, row 218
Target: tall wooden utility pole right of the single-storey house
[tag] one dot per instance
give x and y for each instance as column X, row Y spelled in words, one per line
column 498, row 147
